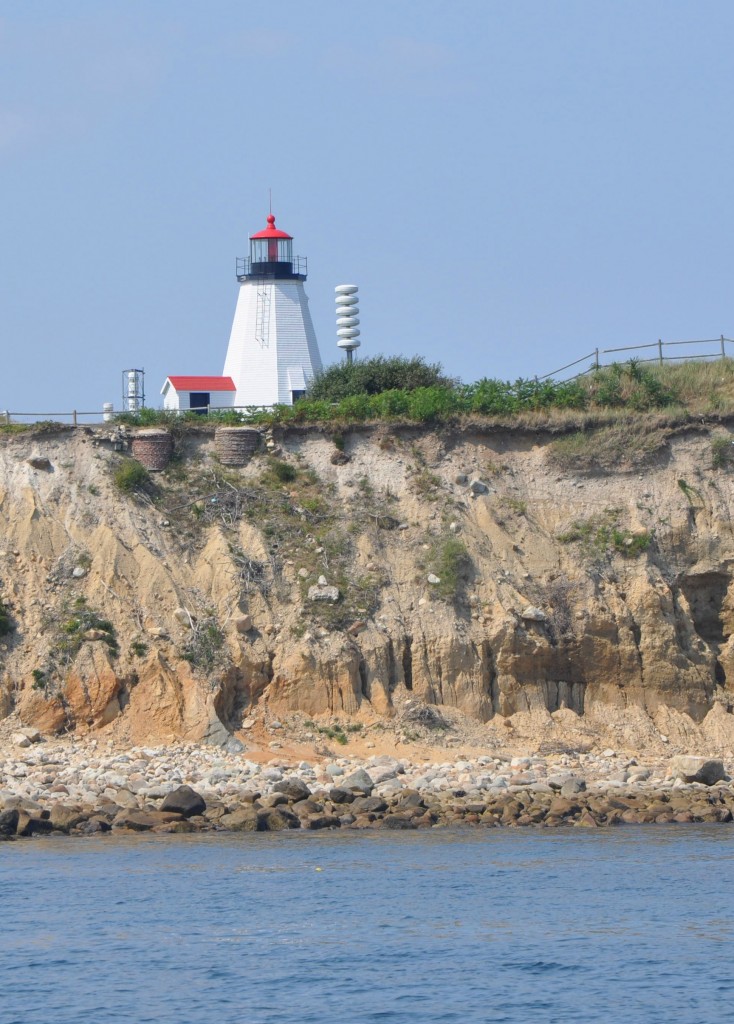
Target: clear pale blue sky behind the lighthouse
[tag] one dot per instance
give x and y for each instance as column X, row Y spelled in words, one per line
column 511, row 185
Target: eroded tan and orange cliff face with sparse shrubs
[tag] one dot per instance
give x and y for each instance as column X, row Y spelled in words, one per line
column 484, row 573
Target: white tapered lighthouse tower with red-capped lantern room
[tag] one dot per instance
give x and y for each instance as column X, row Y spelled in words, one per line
column 273, row 353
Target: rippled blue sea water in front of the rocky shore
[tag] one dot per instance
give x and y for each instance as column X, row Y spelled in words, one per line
column 626, row 925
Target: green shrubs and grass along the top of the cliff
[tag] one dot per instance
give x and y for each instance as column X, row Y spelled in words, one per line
column 410, row 392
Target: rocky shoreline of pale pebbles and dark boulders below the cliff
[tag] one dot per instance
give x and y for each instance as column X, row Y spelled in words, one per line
column 68, row 787
